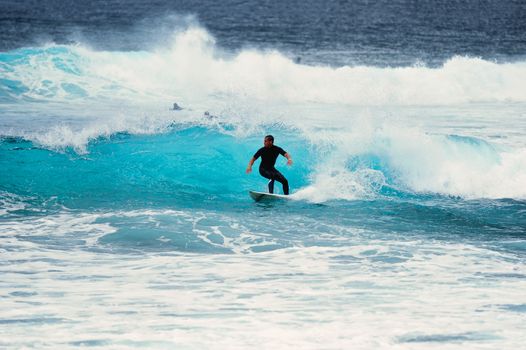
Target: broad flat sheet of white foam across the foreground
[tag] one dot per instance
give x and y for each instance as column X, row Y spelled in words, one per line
column 312, row 297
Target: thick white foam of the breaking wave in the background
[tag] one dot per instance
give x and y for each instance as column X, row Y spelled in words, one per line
column 195, row 69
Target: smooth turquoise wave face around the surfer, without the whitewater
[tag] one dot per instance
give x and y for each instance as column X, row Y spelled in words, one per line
column 182, row 166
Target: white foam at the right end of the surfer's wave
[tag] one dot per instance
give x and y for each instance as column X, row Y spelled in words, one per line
column 436, row 164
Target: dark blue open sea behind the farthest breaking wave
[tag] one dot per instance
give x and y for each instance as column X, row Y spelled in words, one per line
column 332, row 32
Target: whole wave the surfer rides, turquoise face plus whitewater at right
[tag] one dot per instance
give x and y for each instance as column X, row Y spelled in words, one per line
column 208, row 161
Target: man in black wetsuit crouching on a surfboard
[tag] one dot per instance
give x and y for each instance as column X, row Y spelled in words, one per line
column 269, row 153
